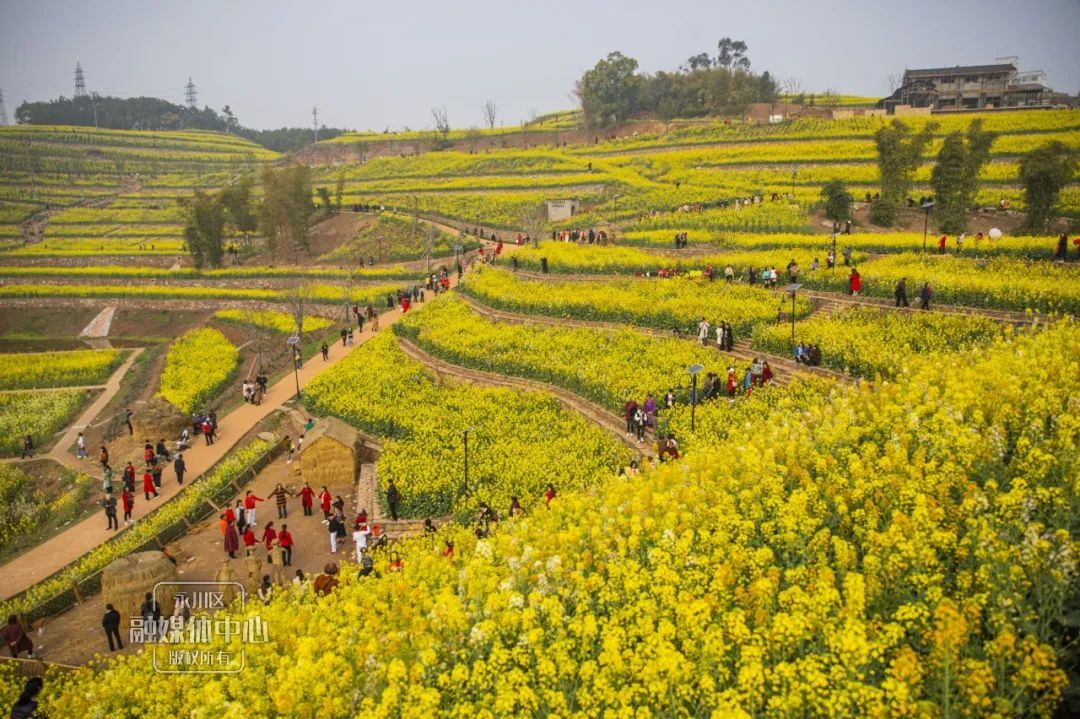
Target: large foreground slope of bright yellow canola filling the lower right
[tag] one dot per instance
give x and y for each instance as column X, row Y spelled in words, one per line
column 899, row 550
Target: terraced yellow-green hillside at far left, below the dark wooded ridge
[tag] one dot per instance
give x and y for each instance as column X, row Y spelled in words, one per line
column 110, row 193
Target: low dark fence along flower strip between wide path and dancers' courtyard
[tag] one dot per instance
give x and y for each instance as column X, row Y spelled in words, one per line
column 91, row 585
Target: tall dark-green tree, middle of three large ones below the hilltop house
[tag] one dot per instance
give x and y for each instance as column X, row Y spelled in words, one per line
column 955, row 178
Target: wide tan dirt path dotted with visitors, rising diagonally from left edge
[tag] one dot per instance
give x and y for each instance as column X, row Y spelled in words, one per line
column 46, row 559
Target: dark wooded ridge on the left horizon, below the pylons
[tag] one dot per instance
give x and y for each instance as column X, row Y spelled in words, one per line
column 112, row 113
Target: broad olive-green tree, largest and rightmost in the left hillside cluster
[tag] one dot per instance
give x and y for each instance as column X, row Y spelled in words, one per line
column 287, row 208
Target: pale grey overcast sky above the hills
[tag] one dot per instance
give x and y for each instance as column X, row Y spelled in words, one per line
column 368, row 65
